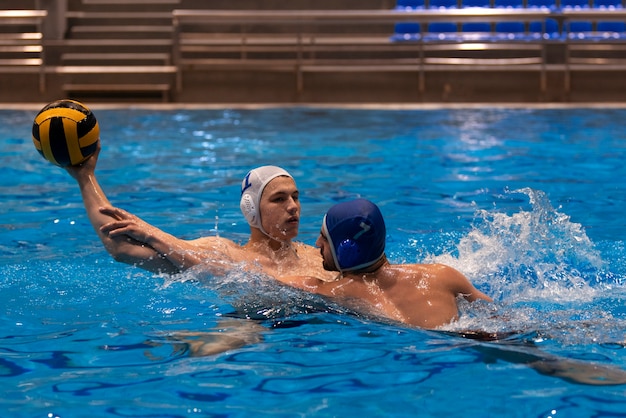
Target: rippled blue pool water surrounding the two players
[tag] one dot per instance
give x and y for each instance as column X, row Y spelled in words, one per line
column 528, row 203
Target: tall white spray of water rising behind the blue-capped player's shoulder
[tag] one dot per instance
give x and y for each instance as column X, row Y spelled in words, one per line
column 530, row 255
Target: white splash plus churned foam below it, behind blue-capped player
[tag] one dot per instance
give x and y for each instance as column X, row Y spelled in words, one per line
column 540, row 267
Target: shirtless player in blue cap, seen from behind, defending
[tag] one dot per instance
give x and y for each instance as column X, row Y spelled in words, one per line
column 352, row 242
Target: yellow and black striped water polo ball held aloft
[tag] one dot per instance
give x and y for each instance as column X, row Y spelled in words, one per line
column 66, row 132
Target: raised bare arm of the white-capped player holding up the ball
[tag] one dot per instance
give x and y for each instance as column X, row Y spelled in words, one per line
column 120, row 247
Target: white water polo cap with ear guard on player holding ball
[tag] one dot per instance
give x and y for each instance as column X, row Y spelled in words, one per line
column 252, row 188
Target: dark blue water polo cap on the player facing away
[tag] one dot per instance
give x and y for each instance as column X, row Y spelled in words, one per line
column 356, row 233
